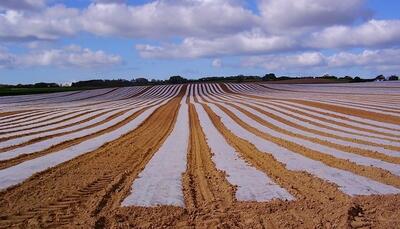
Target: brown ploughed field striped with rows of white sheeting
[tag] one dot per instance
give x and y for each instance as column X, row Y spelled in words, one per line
column 203, row 155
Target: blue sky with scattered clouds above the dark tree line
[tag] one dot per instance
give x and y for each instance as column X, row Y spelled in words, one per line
column 65, row 41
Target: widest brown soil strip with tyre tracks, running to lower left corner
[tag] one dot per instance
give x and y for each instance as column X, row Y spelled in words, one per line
column 79, row 186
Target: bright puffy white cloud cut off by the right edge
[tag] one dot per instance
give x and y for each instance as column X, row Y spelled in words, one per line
column 371, row 33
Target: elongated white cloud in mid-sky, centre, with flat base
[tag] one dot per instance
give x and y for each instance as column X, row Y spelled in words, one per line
column 253, row 42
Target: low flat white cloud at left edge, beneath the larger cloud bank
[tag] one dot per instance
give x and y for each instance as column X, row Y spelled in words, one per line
column 71, row 56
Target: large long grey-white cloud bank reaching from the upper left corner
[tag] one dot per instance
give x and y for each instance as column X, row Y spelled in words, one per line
column 157, row 19
